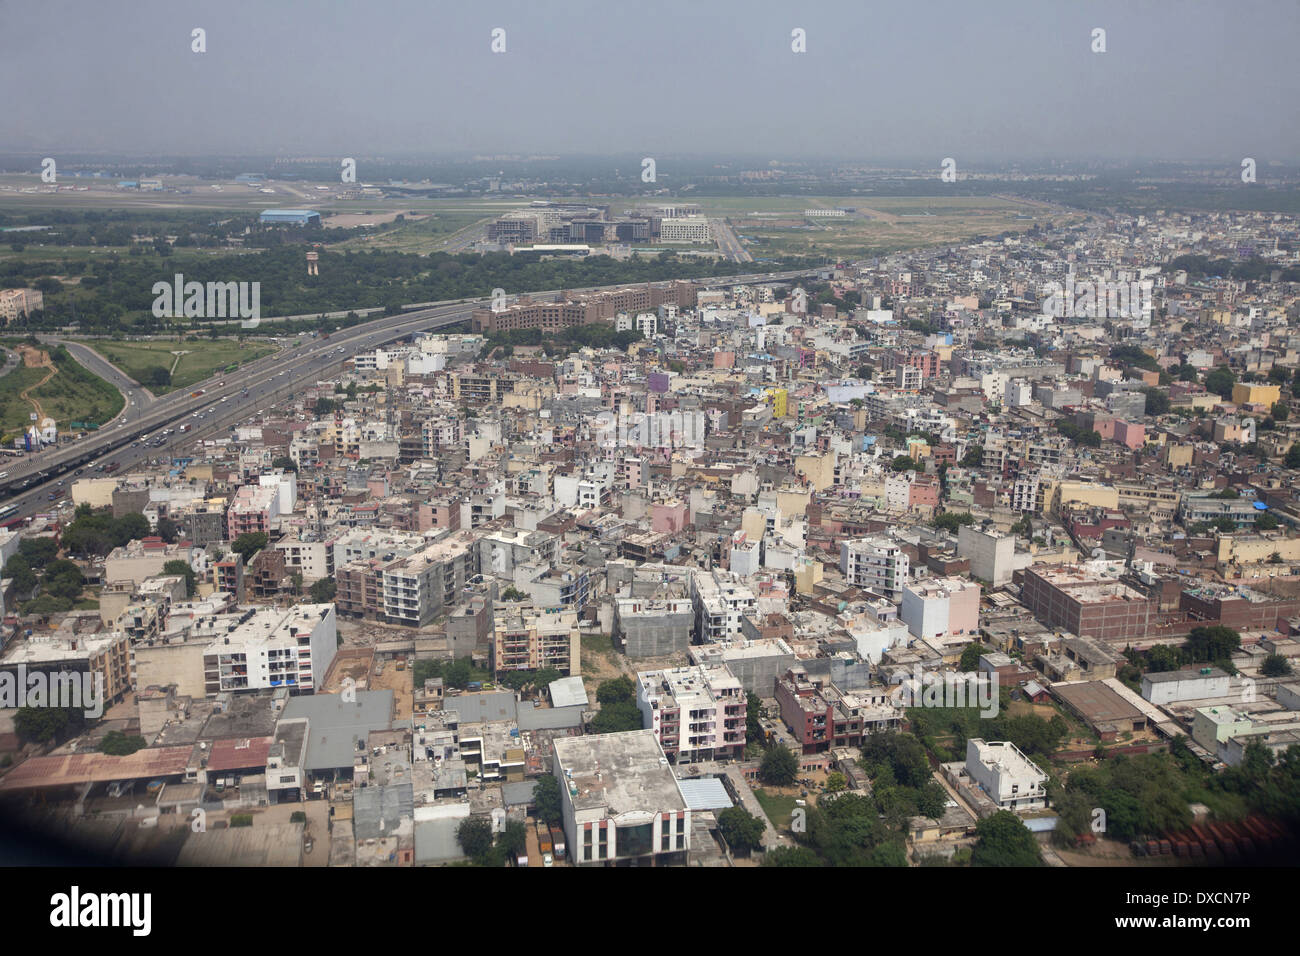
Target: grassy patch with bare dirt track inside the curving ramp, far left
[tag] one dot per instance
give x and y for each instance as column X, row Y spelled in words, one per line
column 71, row 395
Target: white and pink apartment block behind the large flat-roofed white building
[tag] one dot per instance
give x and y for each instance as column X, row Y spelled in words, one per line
column 696, row 713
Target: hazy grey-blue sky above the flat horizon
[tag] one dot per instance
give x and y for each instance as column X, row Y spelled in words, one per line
column 982, row 80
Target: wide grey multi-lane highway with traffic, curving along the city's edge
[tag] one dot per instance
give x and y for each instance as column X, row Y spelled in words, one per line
column 150, row 432
